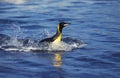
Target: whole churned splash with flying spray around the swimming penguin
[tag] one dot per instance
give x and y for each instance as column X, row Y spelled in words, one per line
column 26, row 45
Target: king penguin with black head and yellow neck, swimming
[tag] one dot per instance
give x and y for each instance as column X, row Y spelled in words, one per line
column 58, row 36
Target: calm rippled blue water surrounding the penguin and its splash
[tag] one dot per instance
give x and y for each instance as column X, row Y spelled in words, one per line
column 97, row 23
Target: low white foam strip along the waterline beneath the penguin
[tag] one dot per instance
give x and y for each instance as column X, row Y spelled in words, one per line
column 62, row 47
